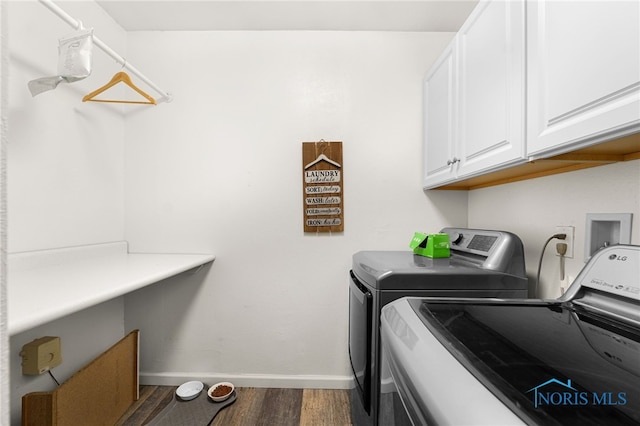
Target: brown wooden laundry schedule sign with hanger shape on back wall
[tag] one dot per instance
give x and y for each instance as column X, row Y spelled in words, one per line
column 322, row 179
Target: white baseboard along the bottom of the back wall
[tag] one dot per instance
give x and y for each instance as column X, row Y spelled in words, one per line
column 250, row 380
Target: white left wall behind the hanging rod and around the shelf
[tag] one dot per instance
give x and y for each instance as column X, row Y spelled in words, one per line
column 65, row 167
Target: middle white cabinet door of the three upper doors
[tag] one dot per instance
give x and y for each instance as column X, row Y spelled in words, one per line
column 491, row 73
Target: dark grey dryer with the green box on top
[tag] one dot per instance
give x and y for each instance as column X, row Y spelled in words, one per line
column 483, row 263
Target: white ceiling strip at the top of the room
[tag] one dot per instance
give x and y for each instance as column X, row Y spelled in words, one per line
column 267, row 15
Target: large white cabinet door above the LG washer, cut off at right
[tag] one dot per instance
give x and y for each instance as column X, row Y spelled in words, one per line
column 584, row 73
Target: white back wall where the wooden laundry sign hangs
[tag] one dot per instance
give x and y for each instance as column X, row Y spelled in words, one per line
column 219, row 170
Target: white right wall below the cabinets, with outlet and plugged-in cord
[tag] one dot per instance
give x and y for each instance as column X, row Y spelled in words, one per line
column 533, row 208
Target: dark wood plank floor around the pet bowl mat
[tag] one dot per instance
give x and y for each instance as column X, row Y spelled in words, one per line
column 256, row 406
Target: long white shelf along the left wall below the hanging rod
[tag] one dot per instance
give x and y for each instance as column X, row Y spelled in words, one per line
column 50, row 284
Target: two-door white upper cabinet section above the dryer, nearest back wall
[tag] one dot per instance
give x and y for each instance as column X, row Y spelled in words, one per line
column 474, row 97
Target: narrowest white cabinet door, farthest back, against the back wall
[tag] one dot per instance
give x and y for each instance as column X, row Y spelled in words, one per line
column 438, row 114
